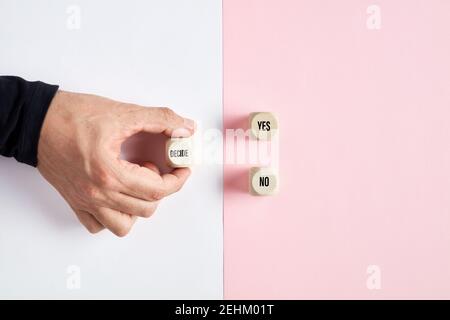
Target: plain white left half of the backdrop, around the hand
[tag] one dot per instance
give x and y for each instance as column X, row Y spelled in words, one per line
column 159, row 52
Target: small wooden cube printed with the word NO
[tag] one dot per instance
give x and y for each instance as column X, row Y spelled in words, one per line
column 263, row 181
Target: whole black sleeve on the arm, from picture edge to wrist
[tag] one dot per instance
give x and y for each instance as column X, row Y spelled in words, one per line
column 23, row 106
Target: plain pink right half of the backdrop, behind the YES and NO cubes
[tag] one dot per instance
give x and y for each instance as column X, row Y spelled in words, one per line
column 365, row 148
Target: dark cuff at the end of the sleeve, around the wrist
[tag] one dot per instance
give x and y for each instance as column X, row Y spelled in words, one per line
column 34, row 114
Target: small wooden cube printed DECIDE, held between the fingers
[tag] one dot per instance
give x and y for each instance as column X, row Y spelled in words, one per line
column 179, row 152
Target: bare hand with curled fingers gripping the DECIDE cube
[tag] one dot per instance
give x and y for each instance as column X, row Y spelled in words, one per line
column 79, row 151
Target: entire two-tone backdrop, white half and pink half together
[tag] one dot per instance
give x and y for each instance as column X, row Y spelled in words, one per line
column 362, row 92
